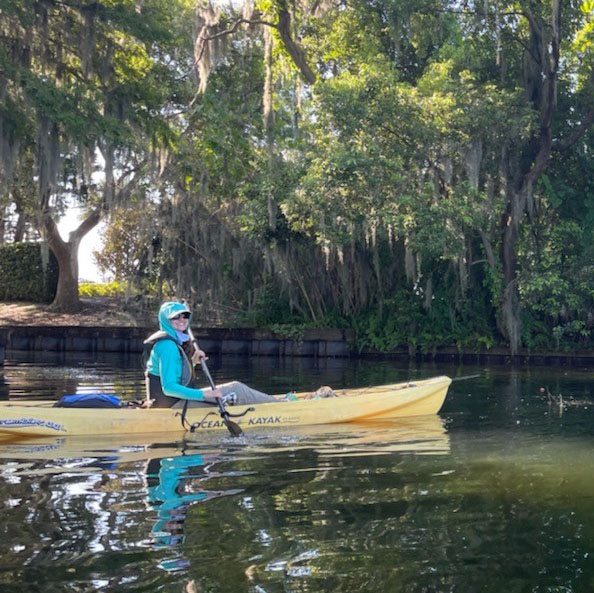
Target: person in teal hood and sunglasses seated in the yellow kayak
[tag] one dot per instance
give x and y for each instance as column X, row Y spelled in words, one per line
column 170, row 377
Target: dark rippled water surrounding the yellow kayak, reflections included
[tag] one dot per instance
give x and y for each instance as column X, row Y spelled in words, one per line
column 495, row 494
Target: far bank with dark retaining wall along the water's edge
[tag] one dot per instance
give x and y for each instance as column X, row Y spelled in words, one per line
column 103, row 325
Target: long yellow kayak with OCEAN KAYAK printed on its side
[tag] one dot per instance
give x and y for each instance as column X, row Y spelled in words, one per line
column 40, row 419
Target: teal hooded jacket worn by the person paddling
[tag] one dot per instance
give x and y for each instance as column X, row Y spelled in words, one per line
column 167, row 361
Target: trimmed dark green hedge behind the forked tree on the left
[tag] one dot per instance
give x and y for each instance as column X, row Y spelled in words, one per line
column 22, row 277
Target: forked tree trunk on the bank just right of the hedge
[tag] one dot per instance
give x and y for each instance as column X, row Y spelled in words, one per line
column 67, row 298
